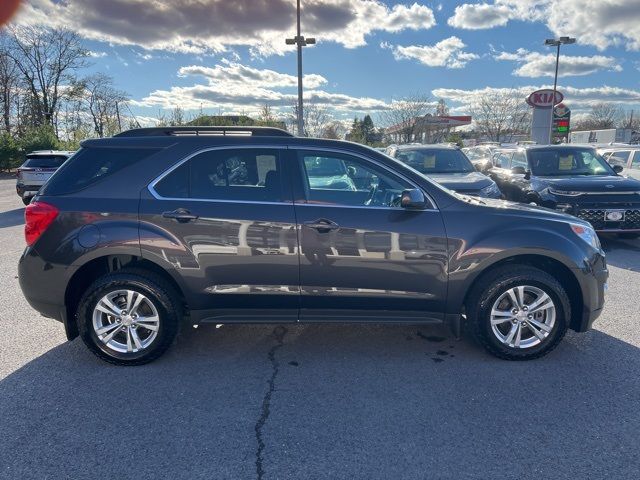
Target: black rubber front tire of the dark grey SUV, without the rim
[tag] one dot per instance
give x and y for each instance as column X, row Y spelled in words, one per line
column 491, row 286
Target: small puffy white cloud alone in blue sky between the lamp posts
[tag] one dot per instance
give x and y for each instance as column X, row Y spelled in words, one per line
column 447, row 53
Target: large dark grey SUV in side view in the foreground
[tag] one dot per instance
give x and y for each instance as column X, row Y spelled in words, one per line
column 137, row 233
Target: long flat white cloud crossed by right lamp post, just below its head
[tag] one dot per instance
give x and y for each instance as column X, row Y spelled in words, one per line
column 534, row 64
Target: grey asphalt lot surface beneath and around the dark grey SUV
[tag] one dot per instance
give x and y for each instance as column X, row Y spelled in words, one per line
column 338, row 401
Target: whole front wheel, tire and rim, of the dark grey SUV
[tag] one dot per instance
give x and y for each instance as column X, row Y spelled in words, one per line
column 519, row 312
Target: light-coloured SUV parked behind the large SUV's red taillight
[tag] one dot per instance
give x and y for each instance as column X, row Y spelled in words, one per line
column 36, row 170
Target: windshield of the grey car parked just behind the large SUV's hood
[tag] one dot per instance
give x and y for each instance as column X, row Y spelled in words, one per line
column 436, row 160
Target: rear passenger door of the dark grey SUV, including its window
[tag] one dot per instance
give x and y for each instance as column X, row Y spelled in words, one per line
column 224, row 219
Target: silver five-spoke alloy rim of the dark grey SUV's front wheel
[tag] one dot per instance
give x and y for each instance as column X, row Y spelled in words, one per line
column 523, row 317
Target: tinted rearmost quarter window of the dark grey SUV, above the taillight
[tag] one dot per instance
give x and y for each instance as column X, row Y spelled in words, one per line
column 92, row 165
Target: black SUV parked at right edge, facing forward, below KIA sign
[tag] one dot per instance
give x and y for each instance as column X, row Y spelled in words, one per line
column 575, row 180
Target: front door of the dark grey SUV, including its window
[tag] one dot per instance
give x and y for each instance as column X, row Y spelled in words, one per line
column 362, row 255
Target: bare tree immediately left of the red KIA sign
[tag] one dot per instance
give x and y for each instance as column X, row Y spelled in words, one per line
column 500, row 117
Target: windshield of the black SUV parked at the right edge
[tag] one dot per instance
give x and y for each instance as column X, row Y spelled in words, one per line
column 568, row 162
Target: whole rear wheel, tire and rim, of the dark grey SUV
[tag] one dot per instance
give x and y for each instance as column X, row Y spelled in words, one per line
column 129, row 317
